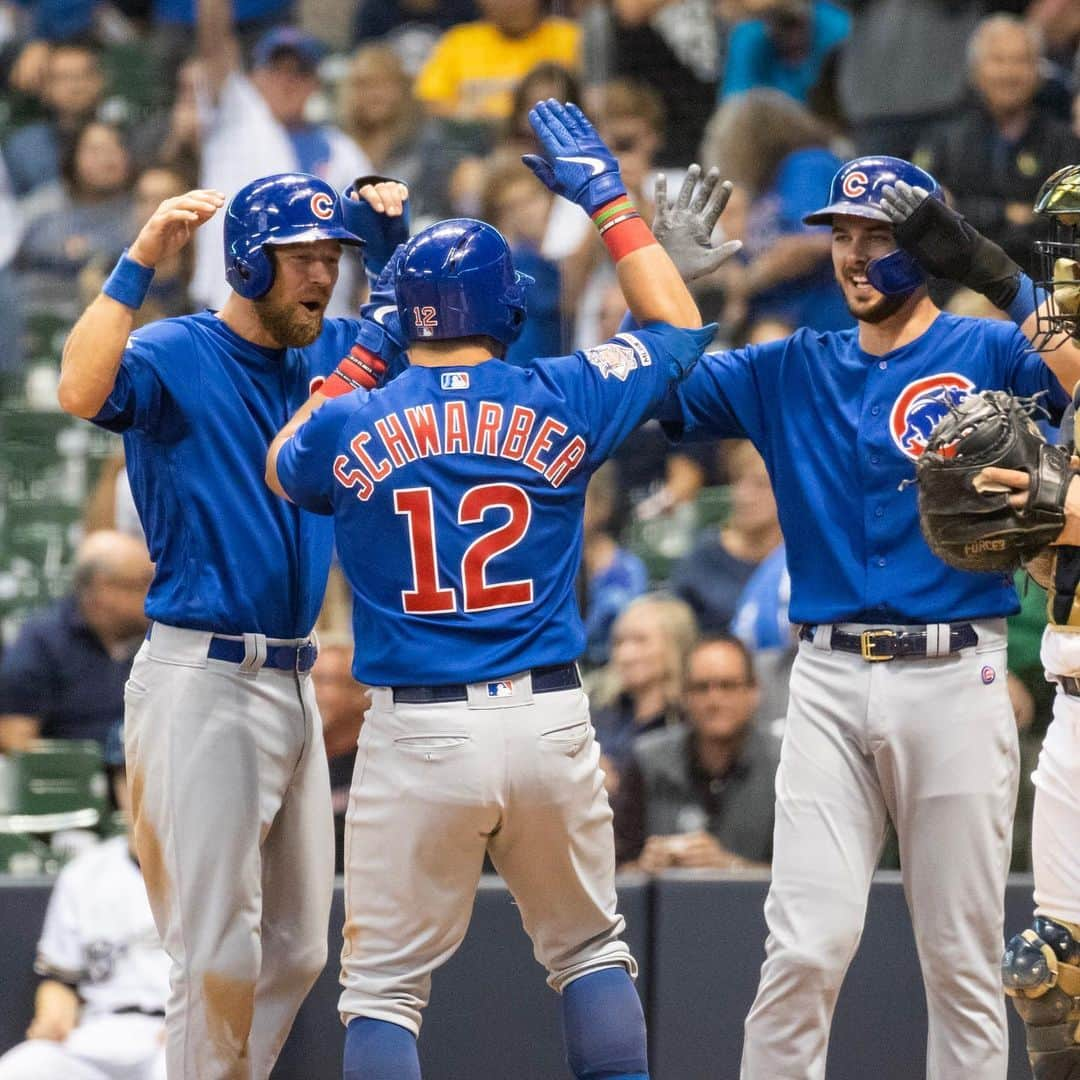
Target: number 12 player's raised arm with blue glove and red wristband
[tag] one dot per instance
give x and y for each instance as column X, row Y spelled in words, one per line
column 578, row 166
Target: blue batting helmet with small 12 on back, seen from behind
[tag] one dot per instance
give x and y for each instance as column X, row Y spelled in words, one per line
column 457, row 279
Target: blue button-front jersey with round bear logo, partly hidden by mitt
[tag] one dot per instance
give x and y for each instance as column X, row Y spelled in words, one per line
column 841, row 431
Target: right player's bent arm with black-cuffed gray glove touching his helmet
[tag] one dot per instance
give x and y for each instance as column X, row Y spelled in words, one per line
column 947, row 246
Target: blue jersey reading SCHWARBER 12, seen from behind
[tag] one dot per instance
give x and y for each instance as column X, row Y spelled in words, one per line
column 458, row 496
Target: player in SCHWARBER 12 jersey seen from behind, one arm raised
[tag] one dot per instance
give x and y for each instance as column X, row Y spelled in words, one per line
column 472, row 474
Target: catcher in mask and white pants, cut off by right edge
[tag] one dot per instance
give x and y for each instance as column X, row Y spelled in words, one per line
column 1042, row 966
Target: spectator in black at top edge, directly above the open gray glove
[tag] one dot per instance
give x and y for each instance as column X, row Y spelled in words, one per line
column 673, row 47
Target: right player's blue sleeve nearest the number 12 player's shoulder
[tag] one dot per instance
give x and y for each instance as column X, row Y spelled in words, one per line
column 724, row 397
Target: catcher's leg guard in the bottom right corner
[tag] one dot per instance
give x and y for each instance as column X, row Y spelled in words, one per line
column 1041, row 971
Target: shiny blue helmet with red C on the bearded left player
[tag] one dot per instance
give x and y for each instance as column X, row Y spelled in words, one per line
column 285, row 209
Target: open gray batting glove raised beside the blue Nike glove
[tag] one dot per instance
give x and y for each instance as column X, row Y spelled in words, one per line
column 685, row 229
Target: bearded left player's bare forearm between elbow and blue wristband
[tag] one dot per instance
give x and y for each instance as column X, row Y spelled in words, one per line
column 92, row 356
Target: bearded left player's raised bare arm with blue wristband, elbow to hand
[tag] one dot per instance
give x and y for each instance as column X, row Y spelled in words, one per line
column 96, row 346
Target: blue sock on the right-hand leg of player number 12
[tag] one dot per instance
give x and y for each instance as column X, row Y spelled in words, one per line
column 605, row 1028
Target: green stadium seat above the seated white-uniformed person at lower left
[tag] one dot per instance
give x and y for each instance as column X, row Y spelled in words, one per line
column 55, row 785
